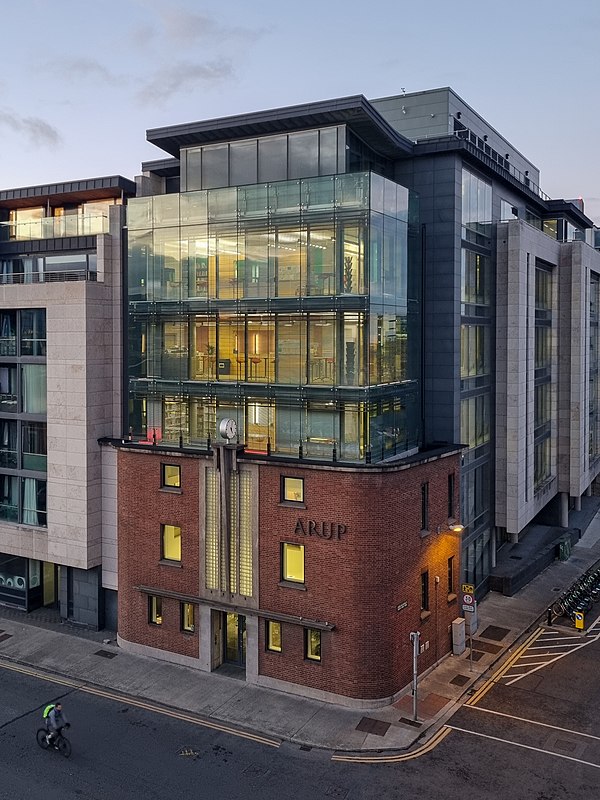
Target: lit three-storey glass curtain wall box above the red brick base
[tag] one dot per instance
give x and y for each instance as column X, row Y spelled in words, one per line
column 293, row 307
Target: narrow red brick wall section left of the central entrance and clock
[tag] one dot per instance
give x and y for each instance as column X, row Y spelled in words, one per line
column 142, row 508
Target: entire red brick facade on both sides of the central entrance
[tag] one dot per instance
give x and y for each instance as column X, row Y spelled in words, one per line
column 354, row 581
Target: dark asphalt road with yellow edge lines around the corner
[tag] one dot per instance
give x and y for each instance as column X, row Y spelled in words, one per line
column 536, row 739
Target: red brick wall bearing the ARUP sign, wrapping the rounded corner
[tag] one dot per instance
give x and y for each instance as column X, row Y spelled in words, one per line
column 357, row 582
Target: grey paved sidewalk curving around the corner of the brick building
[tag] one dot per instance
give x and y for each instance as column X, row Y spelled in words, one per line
column 86, row 658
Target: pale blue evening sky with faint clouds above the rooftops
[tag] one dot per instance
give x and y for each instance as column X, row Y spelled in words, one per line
column 81, row 82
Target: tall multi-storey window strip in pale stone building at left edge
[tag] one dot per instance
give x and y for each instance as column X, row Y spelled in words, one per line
column 23, row 445
